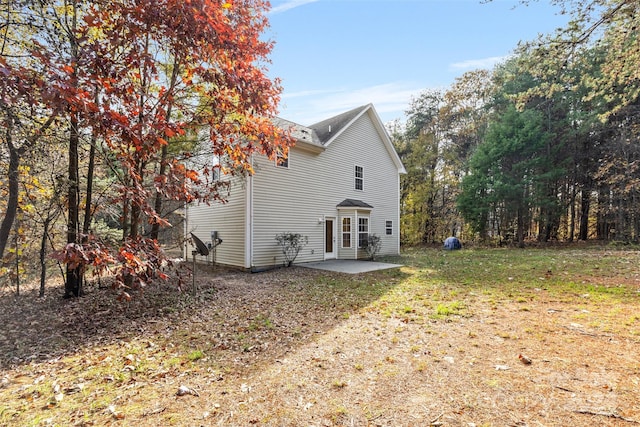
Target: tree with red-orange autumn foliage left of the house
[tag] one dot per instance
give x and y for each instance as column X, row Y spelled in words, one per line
column 138, row 79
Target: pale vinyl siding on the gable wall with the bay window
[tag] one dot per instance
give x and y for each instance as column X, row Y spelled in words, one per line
column 293, row 200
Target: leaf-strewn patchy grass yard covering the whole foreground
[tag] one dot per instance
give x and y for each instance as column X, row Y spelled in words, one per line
column 436, row 342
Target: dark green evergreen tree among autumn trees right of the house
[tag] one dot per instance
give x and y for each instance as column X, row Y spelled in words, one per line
column 505, row 174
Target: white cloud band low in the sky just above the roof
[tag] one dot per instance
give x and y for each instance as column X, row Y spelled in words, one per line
column 390, row 100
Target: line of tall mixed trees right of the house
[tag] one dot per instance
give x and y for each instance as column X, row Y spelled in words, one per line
column 543, row 147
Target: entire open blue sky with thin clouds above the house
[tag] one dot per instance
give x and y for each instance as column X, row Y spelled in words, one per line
column 335, row 55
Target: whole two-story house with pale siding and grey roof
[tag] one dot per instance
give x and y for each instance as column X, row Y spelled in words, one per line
column 339, row 183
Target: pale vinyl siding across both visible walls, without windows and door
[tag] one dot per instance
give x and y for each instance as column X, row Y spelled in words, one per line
column 298, row 199
